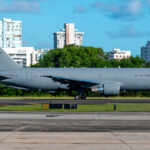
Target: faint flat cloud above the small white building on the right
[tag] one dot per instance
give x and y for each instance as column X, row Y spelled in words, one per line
column 127, row 31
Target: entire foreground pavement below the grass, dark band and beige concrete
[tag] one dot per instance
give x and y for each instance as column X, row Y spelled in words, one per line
column 74, row 130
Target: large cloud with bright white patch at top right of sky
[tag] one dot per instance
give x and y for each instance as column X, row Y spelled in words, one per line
column 125, row 10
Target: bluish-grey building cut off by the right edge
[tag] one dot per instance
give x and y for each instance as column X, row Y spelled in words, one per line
column 145, row 52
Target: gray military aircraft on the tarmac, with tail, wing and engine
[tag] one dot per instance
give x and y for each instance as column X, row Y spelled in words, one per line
column 107, row 80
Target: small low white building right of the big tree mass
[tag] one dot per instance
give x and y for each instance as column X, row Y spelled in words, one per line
column 119, row 54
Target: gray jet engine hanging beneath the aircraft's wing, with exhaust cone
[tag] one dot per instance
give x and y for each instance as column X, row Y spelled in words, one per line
column 109, row 89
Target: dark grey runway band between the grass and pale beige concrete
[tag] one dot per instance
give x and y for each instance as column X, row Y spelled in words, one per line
column 74, row 121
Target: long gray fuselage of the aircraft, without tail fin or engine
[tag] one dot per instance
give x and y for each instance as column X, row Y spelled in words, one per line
column 35, row 78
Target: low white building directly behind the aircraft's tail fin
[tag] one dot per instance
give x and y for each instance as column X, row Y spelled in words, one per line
column 21, row 55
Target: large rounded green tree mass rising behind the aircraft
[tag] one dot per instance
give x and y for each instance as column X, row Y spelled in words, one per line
column 73, row 56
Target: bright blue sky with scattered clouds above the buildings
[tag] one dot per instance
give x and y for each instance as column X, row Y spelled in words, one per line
column 107, row 24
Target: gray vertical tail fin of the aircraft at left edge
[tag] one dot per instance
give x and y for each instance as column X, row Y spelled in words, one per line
column 6, row 62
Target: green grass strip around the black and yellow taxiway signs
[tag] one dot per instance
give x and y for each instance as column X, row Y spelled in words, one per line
column 84, row 108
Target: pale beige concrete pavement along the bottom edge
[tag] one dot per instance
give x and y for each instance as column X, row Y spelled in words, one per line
column 74, row 141
